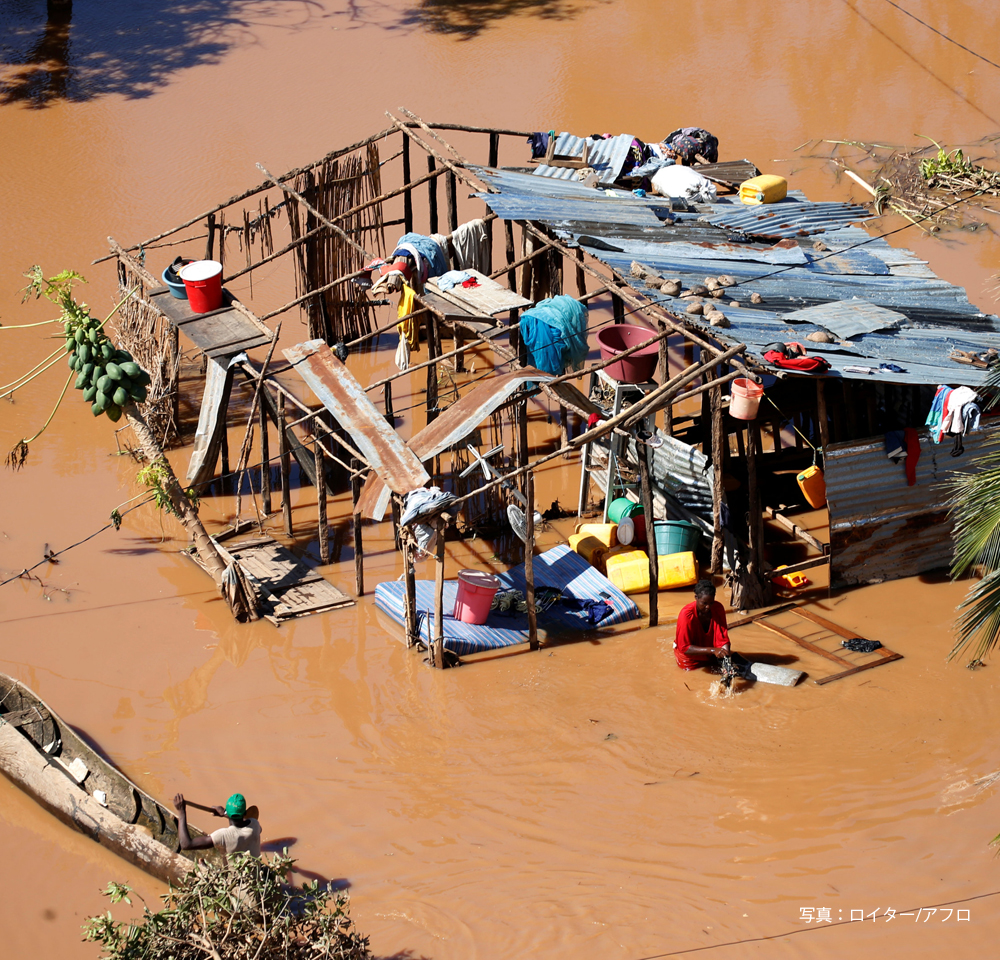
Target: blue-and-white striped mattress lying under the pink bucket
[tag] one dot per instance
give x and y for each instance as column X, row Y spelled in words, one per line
column 559, row 567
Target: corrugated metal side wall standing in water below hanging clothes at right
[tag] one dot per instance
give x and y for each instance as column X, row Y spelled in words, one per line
column 882, row 529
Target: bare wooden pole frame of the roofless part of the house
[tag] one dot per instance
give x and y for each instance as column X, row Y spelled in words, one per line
column 334, row 213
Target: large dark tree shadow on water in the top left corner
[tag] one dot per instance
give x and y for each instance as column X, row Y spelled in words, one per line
column 54, row 50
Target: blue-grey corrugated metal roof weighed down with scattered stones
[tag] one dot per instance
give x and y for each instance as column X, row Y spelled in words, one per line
column 851, row 285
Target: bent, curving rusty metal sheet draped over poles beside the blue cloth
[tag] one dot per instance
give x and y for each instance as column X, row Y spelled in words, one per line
column 454, row 424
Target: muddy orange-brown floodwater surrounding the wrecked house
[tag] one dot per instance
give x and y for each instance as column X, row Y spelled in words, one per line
column 588, row 800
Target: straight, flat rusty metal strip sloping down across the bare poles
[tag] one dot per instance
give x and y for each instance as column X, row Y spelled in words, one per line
column 345, row 398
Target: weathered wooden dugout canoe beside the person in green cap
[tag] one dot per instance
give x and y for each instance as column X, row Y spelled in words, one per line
column 47, row 759
